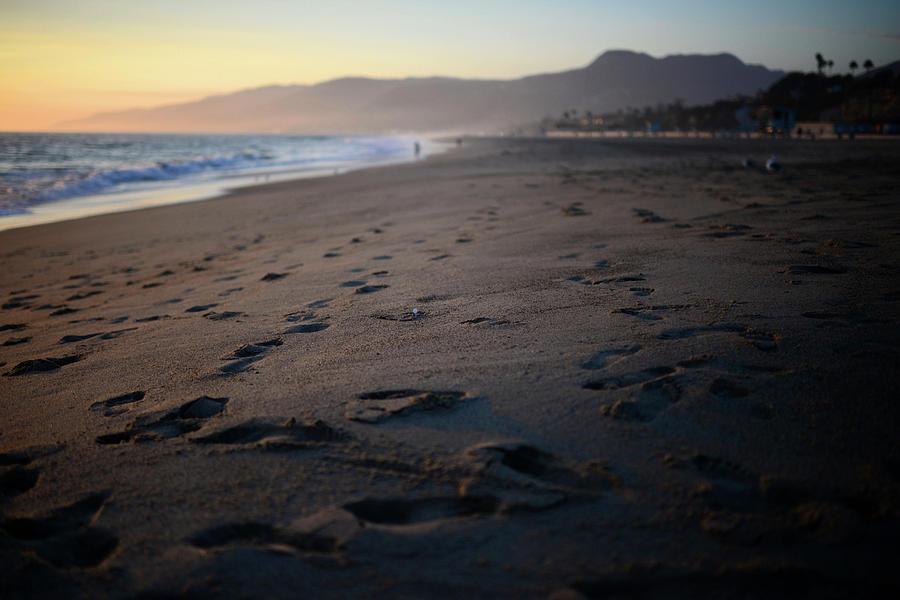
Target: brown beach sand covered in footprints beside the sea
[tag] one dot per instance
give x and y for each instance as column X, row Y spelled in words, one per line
column 524, row 369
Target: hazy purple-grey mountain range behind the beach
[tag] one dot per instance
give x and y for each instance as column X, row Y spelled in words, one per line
column 616, row 79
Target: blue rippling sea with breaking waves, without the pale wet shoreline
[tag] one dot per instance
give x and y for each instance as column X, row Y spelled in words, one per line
column 35, row 170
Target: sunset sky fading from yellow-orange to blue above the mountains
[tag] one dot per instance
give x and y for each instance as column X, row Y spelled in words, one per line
column 65, row 59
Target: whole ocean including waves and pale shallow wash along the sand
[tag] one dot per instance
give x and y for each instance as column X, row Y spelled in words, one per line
column 47, row 177
